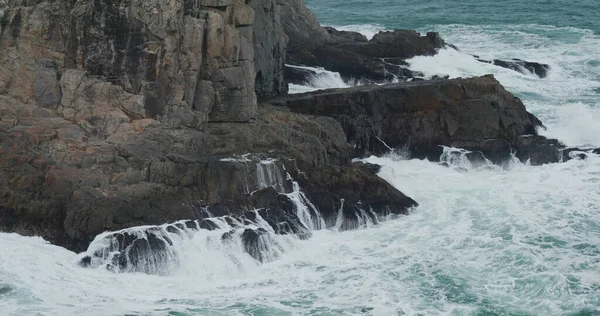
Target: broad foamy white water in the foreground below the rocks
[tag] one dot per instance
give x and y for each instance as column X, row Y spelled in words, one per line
column 521, row 240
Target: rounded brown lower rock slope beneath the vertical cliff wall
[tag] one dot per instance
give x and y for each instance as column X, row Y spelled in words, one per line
column 67, row 184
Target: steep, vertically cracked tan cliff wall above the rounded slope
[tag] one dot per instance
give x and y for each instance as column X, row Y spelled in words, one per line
column 181, row 61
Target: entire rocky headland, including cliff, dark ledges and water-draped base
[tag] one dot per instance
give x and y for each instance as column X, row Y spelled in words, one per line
column 120, row 117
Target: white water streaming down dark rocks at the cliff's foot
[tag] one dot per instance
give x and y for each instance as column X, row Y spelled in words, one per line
column 241, row 237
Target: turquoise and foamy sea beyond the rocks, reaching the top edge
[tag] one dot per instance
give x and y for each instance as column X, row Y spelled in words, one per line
column 563, row 34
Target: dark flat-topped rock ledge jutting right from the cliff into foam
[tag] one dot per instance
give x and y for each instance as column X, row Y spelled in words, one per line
column 476, row 114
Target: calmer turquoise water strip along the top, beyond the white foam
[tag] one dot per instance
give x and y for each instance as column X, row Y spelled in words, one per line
column 583, row 14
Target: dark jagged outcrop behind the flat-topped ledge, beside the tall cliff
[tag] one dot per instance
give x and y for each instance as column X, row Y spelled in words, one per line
column 380, row 59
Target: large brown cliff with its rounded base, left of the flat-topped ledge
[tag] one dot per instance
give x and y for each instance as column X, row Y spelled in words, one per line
column 116, row 114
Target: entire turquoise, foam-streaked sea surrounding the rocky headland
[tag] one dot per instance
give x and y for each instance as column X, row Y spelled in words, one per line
column 489, row 240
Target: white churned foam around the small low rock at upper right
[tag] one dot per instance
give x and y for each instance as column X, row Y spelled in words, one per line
column 567, row 101
